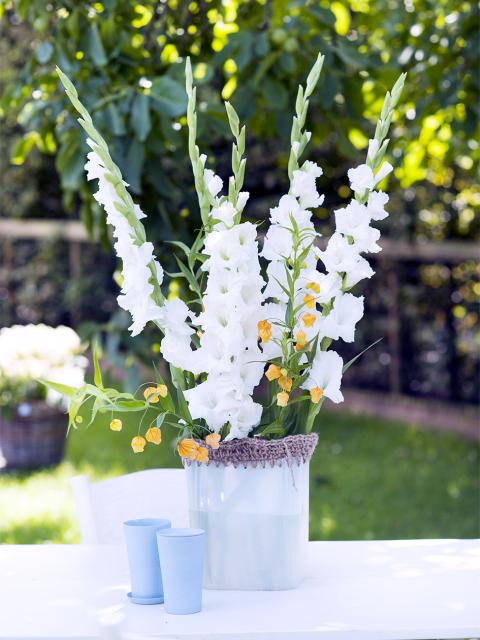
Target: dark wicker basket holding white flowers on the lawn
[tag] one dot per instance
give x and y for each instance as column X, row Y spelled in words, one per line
column 33, row 437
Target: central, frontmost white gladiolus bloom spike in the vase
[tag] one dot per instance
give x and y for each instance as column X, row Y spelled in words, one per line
column 229, row 352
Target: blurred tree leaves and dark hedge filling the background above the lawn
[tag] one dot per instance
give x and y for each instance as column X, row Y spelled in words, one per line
column 127, row 60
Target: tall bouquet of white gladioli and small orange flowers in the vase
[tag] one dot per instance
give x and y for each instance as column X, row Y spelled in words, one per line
column 250, row 315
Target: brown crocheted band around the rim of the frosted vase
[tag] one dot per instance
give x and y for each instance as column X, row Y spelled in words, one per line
column 254, row 452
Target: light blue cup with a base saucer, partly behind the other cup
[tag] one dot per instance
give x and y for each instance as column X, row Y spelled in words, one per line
column 143, row 561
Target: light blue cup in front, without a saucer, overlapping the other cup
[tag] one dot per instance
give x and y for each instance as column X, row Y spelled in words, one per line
column 181, row 556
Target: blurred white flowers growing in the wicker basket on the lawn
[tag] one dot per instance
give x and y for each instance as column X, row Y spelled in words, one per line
column 31, row 352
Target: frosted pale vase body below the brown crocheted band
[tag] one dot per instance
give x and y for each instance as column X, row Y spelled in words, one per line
column 256, row 522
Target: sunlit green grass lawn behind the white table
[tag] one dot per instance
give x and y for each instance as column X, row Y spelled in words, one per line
column 369, row 479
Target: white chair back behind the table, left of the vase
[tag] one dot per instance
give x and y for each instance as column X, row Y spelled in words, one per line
column 103, row 506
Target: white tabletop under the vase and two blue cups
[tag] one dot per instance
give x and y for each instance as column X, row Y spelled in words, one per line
column 393, row 590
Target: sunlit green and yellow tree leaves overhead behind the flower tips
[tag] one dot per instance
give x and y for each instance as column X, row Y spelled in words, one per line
column 126, row 59
